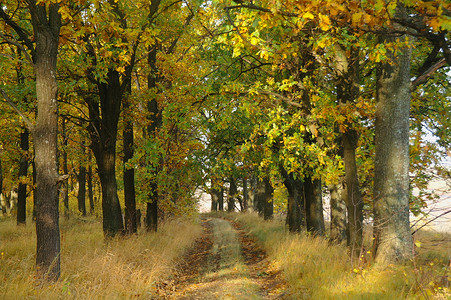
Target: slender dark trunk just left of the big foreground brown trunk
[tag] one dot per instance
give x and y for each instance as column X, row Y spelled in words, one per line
column 23, row 170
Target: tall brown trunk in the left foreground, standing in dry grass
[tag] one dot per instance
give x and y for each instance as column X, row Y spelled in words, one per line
column 46, row 34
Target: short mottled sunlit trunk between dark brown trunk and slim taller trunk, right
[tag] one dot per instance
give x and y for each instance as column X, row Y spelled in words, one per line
column 338, row 225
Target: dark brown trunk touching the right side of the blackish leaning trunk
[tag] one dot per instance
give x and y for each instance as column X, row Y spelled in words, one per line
column 314, row 206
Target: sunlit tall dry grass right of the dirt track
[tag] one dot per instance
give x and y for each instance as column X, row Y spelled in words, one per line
column 315, row 269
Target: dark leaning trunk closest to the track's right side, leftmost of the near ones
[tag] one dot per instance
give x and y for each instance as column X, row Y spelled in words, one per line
column 295, row 208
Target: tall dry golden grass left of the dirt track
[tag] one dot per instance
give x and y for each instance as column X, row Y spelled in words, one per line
column 121, row 268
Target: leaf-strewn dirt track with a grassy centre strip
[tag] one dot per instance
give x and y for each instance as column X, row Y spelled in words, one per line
column 225, row 263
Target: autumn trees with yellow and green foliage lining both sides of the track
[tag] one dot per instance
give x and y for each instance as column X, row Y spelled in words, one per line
column 177, row 96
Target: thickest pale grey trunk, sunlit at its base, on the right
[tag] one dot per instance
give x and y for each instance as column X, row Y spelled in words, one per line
column 392, row 236
